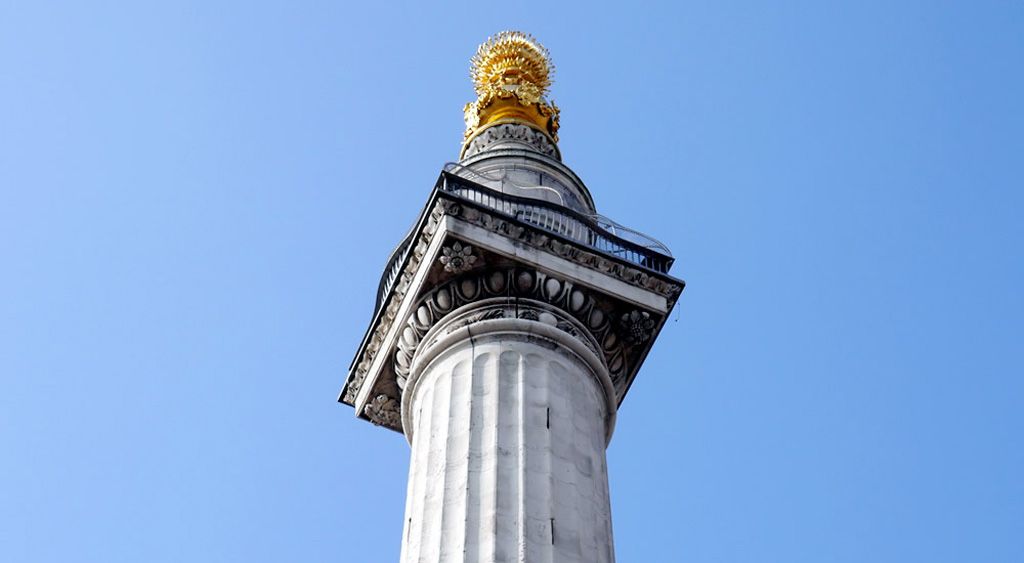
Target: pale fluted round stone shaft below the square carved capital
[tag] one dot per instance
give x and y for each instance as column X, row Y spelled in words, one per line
column 509, row 410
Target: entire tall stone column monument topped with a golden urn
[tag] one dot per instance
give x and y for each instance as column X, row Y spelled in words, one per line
column 510, row 323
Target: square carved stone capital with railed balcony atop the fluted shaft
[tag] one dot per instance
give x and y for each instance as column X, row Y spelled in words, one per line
column 474, row 243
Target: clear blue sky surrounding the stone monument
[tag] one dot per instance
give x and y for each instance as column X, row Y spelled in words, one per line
column 197, row 200
